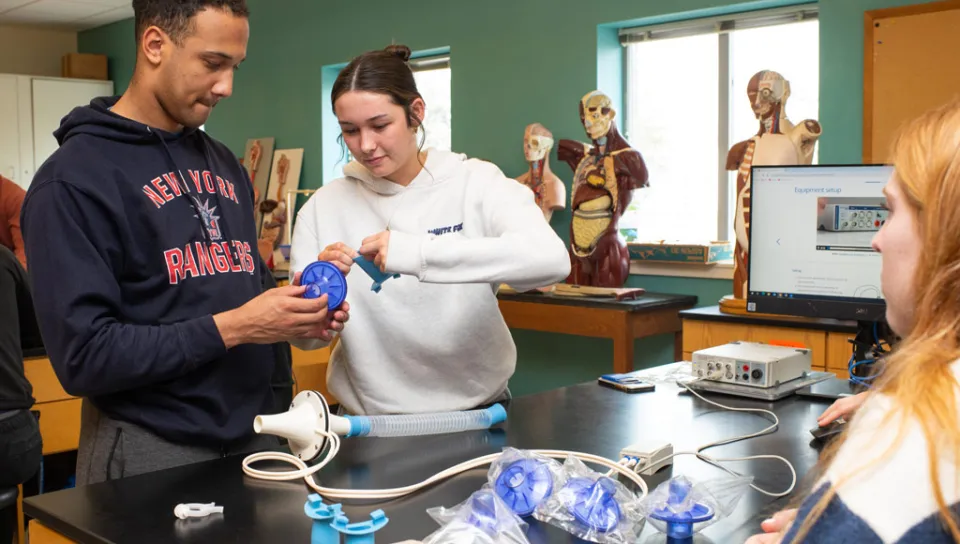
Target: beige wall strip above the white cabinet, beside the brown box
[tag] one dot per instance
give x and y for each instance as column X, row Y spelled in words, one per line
column 34, row 51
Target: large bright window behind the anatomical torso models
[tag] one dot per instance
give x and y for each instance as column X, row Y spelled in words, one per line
column 686, row 105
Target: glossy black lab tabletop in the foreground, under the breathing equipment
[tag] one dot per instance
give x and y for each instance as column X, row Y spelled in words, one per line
column 587, row 417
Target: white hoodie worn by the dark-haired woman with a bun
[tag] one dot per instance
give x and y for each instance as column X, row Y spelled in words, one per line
column 432, row 339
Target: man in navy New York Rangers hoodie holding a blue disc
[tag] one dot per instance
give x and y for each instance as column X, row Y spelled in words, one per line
column 140, row 235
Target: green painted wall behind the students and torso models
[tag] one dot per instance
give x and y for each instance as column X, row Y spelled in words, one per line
column 513, row 63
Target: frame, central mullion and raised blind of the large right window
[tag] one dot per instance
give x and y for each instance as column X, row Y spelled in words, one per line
column 722, row 26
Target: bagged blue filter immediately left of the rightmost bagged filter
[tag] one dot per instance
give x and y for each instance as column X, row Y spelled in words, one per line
column 592, row 506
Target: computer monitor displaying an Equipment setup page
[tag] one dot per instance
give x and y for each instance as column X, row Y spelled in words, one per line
column 811, row 229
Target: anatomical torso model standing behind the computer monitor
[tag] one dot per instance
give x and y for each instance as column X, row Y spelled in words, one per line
column 778, row 142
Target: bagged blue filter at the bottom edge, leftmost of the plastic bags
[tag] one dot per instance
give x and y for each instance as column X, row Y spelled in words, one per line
column 481, row 519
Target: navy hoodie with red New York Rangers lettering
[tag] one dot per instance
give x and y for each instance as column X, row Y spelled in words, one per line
column 136, row 237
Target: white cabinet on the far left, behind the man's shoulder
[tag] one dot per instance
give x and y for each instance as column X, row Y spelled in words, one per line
column 31, row 109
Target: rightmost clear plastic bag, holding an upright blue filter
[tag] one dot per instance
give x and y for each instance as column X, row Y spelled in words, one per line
column 680, row 507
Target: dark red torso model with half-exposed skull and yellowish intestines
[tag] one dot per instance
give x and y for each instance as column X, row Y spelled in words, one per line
column 605, row 174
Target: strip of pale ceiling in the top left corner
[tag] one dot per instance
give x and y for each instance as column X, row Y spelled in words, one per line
column 64, row 14
